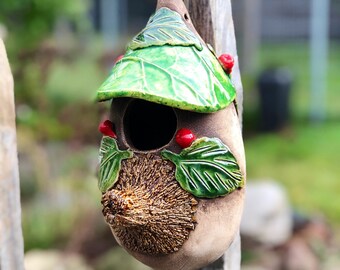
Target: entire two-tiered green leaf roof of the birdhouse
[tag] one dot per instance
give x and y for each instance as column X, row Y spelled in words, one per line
column 167, row 64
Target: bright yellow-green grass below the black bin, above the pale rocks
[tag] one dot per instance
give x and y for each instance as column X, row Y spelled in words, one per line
column 305, row 161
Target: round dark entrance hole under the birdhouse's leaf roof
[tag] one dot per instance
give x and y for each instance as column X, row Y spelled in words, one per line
column 149, row 125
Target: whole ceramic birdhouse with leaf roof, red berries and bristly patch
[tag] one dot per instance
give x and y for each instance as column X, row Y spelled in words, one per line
column 171, row 159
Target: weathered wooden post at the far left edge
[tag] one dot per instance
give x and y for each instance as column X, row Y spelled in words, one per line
column 11, row 240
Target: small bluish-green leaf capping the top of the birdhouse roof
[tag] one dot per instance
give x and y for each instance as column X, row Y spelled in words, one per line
column 165, row 27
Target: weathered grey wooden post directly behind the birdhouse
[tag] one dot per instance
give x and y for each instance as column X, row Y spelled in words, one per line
column 213, row 21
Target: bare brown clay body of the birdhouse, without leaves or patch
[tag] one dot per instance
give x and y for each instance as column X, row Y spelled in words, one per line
column 218, row 219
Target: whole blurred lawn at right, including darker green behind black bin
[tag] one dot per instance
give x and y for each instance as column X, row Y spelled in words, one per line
column 304, row 157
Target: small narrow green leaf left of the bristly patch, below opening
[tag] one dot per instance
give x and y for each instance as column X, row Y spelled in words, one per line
column 110, row 162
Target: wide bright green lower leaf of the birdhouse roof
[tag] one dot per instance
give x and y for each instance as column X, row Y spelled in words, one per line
column 176, row 76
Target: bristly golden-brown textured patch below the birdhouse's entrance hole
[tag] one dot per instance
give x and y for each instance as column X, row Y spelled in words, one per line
column 147, row 209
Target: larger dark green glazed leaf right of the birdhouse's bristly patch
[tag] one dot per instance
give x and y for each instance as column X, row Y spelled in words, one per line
column 206, row 169
